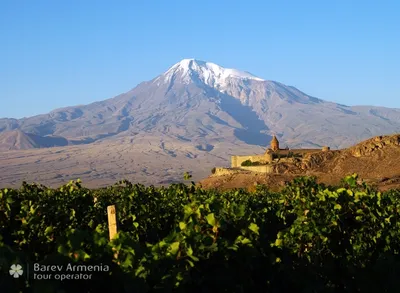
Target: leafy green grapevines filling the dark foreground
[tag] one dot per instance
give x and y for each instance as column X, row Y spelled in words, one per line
column 306, row 238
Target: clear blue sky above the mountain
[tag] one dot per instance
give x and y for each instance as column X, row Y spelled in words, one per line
column 63, row 53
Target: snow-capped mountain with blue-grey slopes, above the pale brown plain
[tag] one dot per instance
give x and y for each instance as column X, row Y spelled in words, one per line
column 203, row 103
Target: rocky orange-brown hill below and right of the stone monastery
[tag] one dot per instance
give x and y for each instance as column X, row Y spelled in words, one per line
column 376, row 161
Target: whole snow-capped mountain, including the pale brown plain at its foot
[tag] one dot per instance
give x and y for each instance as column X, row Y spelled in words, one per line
column 191, row 117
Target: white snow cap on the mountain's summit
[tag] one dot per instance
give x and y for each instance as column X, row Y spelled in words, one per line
column 207, row 72
